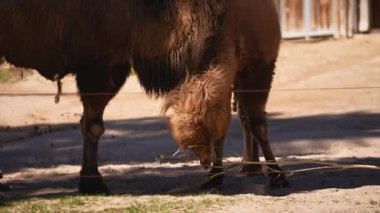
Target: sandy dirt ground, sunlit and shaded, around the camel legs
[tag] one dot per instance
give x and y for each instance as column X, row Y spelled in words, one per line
column 40, row 142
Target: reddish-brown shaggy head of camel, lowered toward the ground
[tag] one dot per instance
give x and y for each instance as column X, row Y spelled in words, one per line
column 198, row 103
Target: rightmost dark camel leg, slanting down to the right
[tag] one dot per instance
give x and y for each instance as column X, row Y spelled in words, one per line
column 256, row 83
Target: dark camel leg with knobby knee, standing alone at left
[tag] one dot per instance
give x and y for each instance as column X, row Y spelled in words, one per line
column 97, row 84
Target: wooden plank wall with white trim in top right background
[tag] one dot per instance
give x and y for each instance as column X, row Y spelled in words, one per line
column 338, row 18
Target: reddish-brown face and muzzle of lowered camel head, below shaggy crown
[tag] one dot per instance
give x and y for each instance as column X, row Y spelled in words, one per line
column 189, row 133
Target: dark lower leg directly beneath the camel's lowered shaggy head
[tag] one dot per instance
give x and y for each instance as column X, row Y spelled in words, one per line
column 216, row 175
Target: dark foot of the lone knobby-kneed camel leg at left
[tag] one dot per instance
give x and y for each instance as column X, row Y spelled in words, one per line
column 93, row 186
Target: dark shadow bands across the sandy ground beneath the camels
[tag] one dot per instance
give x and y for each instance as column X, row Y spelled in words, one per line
column 139, row 141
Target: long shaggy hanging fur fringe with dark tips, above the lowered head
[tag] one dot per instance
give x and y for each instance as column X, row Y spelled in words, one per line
column 193, row 34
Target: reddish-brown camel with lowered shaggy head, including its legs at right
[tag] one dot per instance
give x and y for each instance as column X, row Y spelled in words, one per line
column 201, row 104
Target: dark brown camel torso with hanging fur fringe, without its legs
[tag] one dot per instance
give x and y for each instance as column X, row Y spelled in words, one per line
column 163, row 39
